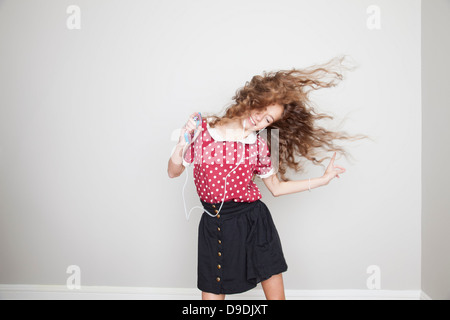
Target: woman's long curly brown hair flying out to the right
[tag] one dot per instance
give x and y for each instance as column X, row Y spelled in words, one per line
column 299, row 134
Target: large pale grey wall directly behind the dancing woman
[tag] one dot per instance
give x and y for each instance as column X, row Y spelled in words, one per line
column 86, row 119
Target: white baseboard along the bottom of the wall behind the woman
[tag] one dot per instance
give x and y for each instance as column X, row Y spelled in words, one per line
column 55, row 292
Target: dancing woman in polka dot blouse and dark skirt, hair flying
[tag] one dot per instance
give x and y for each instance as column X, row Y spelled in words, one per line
column 238, row 243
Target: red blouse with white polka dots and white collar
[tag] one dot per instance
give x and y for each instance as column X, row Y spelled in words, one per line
column 214, row 160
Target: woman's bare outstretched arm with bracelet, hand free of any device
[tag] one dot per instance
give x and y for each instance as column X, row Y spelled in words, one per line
column 279, row 188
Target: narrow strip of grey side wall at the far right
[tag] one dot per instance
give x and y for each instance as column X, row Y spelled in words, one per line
column 436, row 149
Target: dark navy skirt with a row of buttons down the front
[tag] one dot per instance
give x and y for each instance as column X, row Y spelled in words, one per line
column 238, row 248
